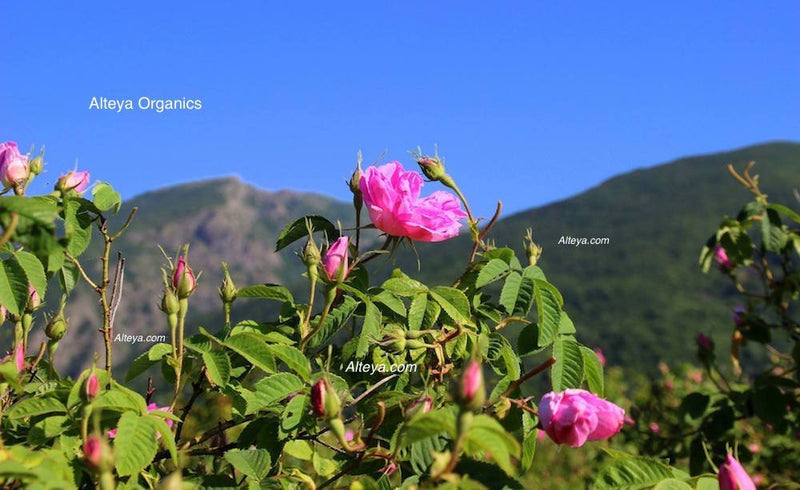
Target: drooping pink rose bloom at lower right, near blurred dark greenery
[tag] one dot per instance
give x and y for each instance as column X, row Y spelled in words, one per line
column 575, row 416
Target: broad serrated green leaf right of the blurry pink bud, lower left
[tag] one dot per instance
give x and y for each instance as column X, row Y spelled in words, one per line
column 135, row 445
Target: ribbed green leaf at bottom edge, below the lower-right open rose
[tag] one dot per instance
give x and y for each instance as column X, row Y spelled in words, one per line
column 633, row 473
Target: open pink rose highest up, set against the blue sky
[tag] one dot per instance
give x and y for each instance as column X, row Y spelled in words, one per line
column 391, row 195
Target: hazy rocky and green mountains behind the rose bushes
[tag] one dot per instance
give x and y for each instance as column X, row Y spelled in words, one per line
column 641, row 297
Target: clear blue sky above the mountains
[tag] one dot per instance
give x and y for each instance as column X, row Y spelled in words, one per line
column 529, row 102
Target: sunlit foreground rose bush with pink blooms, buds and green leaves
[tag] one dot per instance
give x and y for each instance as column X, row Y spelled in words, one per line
column 297, row 416
